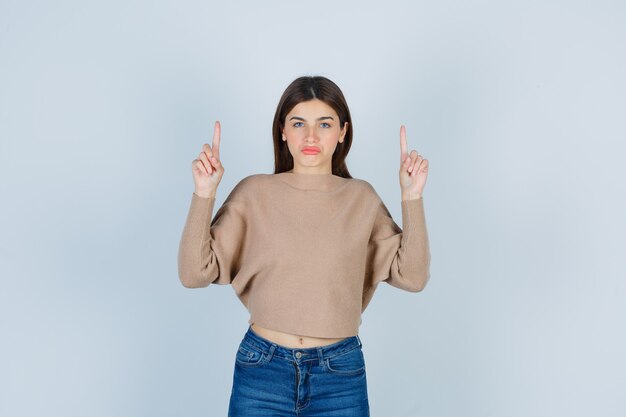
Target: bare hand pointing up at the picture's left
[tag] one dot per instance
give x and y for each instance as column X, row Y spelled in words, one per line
column 207, row 168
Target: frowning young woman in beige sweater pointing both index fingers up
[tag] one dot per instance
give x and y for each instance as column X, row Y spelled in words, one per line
column 304, row 250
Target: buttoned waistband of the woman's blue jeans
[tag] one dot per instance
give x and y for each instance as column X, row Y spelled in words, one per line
column 299, row 355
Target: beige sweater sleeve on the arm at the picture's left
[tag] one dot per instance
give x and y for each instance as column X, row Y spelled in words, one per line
column 210, row 251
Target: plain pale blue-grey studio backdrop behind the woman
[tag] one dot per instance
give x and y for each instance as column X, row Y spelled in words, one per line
column 518, row 105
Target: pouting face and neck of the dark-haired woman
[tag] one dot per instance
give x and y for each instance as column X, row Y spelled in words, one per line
column 312, row 132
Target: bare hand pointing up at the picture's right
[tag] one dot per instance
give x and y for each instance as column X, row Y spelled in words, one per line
column 413, row 170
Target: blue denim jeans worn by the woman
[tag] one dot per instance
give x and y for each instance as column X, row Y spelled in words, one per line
column 277, row 381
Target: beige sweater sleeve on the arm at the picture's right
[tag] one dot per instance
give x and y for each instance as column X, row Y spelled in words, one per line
column 400, row 257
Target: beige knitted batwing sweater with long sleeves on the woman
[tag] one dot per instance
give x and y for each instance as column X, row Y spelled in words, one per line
column 304, row 252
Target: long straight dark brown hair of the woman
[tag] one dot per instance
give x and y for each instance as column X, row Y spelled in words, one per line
column 304, row 89
